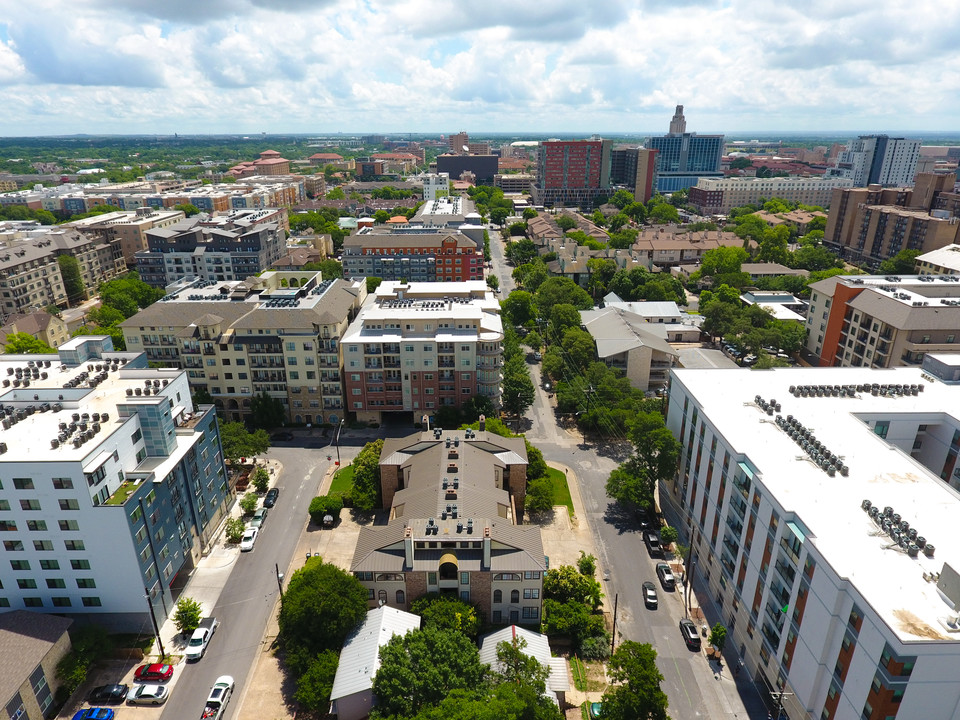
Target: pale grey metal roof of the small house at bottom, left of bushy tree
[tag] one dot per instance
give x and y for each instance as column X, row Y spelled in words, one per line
column 360, row 656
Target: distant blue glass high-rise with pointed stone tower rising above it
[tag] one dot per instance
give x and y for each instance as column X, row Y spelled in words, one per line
column 683, row 158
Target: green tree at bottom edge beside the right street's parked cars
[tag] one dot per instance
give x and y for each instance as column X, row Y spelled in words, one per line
column 635, row 692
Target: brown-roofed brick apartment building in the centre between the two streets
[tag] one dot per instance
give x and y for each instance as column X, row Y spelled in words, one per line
column 454, row 530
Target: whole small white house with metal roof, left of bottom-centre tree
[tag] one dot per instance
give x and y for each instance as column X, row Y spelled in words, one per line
column 352, row 694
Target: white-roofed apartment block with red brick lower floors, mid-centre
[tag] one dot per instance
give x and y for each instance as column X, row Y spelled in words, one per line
column 416, row 347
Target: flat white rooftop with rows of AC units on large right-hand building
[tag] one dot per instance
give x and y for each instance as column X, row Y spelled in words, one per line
column 830, row 507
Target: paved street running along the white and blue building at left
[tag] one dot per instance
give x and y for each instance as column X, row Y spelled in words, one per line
column 249, row 595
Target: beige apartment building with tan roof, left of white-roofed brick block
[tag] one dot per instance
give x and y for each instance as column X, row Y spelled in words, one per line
column 278, row 333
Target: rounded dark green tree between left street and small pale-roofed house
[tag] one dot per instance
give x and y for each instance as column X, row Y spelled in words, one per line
column 321, row 606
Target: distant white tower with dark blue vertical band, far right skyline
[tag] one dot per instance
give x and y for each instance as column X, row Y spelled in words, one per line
column 878, row 159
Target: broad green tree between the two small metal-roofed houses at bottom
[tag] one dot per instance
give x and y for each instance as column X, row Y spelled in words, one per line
column 423, row 667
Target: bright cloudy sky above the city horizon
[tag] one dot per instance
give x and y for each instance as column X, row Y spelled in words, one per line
column 440, row 66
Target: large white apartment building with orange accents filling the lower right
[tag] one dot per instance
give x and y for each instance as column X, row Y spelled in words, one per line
column 819, row 506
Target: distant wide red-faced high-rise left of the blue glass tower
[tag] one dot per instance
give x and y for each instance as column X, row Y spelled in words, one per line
column 572, row 172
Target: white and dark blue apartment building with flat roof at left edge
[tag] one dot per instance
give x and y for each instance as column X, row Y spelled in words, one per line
column 113, row 483
